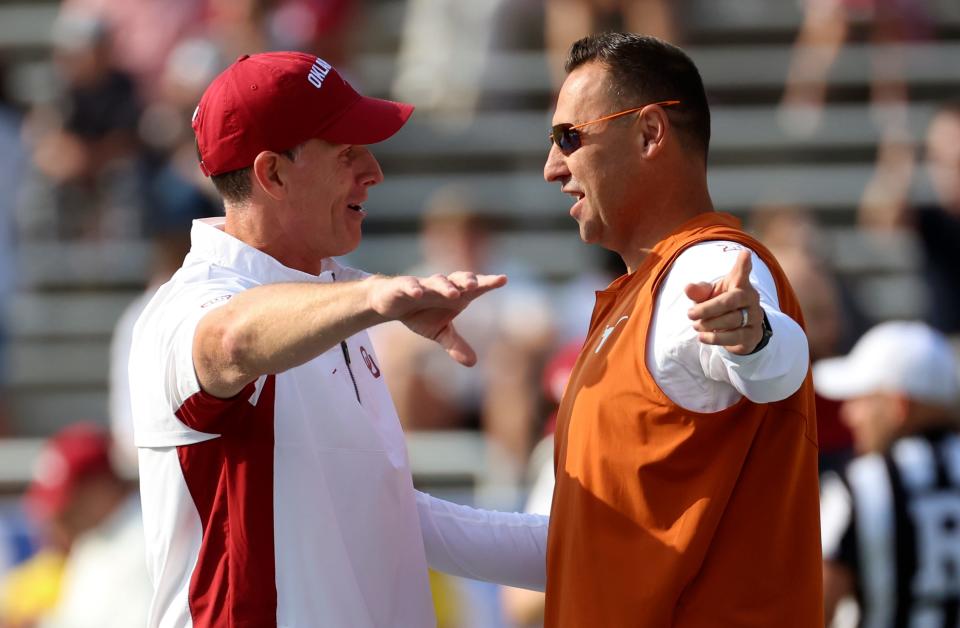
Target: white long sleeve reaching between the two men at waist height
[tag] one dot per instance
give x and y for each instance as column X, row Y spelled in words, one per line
column 506, row 548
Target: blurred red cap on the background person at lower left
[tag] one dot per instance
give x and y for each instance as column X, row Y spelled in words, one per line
column 73, row 454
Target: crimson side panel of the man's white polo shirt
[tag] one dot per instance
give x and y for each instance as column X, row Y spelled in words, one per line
column 231, row 481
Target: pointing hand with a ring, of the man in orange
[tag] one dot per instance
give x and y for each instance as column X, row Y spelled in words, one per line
column 716, row 312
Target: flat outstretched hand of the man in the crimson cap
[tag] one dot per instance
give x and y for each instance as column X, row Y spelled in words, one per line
column 428, row 305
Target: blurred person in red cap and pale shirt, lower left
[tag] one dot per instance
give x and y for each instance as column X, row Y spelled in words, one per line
column 77, row 493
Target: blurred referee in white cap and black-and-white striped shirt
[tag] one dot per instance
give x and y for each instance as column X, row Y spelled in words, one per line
column 891, row 520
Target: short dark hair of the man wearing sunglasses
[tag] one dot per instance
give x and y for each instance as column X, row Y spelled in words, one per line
column 644, row 70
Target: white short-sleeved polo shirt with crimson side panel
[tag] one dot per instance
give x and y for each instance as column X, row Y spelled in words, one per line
column 288, row 505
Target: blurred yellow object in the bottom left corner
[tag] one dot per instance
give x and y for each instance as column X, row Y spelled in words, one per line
column 30, row 590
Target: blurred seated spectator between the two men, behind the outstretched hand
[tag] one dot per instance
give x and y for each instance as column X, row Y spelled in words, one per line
column 509, row 328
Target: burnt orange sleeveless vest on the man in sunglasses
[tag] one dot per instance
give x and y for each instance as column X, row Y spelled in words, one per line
column 667, row 517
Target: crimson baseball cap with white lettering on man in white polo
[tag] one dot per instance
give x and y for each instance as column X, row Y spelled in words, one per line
column 277, row 100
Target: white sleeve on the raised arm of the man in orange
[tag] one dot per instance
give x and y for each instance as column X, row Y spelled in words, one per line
column 773, row 373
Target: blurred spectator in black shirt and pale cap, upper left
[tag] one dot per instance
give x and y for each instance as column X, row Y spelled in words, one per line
column 85, row 146
